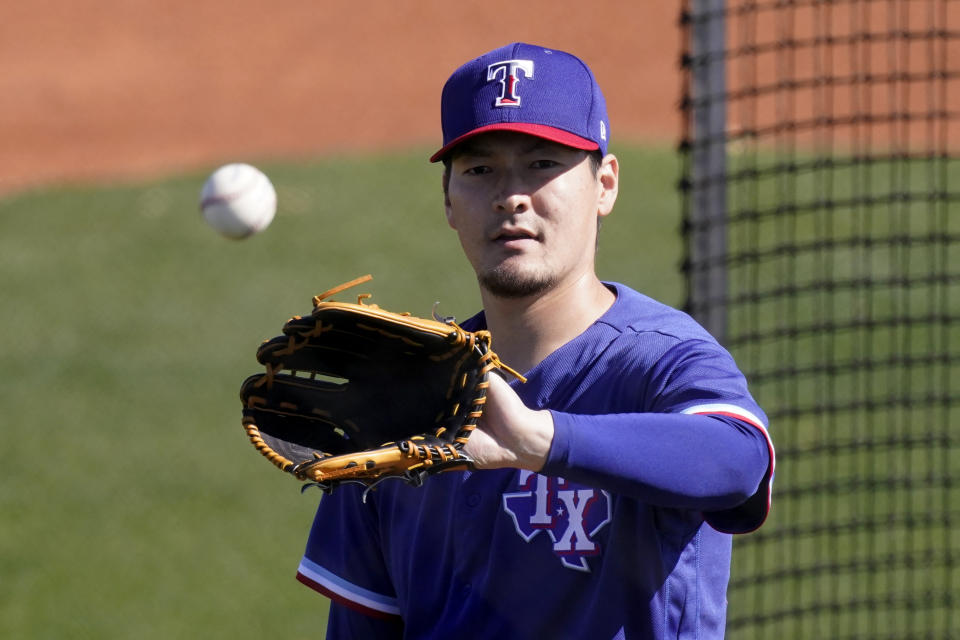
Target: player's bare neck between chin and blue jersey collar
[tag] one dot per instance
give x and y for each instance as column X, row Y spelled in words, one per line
column 527, row 330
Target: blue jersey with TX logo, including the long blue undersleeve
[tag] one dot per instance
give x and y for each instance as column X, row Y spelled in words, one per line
column 659, row 453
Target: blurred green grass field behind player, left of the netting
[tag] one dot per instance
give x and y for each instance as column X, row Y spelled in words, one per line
column 133, row 505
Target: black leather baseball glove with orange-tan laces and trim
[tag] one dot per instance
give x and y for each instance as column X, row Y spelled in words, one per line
column 355, row 393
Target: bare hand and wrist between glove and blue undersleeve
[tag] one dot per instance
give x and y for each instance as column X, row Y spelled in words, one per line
column 509, row 434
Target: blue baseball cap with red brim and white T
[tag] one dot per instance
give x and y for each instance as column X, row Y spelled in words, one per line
column 529, row 89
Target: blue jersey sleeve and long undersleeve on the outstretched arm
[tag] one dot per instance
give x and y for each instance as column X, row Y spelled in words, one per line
column 694, row 440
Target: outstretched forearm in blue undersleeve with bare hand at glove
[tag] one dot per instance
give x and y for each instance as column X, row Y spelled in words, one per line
column 666, row 459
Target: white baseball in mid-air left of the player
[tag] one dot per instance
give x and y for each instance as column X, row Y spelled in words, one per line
column 238, row 200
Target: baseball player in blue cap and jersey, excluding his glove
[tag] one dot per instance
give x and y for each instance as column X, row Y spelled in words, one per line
column 609, row 484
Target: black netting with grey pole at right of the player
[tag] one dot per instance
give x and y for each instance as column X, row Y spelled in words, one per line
column 821, row 182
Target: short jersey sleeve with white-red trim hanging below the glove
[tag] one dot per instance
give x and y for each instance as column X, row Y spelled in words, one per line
column 355, row 578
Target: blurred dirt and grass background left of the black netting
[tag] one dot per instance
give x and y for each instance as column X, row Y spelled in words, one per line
column 132, row 504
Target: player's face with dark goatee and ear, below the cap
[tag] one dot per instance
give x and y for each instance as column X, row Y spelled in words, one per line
column 526, row 210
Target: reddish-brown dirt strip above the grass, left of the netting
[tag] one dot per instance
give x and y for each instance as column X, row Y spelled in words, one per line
column 119, row 89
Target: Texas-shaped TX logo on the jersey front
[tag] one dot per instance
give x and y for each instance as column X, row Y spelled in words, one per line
column 570, row 514
